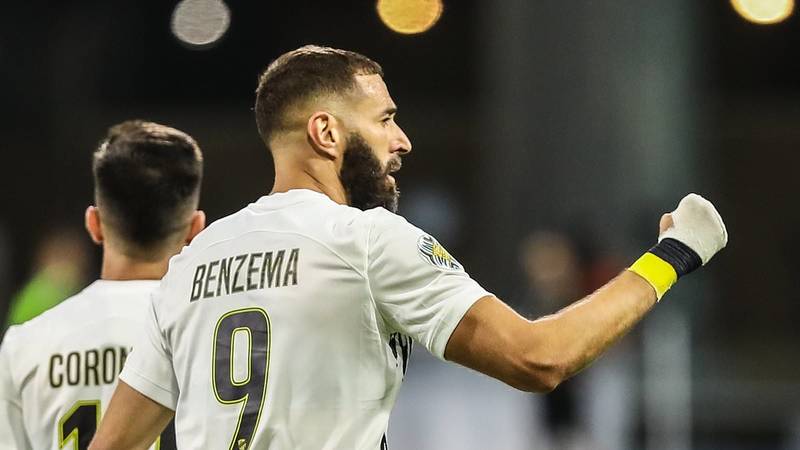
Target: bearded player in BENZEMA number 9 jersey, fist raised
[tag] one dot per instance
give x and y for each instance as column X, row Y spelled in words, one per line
column 287, row 324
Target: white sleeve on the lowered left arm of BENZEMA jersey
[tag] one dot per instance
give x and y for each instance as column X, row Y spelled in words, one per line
column 148, row 368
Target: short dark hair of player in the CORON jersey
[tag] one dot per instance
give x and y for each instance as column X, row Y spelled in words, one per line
column 147, row 182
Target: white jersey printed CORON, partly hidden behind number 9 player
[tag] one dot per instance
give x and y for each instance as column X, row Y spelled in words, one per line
column 58, row 370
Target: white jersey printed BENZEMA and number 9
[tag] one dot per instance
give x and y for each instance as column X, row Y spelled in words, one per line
column 286, row 325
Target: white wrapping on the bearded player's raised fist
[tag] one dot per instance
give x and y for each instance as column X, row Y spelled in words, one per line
column 698, row 225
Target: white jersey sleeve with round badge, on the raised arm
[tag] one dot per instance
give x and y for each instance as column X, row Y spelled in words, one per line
column 418, row 287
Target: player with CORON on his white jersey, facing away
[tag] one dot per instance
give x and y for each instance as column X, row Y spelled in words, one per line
column 58, row 370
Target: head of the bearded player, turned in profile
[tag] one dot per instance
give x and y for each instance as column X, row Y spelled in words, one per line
column 336, row 102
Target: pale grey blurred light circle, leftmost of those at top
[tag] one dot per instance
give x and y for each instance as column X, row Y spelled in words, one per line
column 200, row 23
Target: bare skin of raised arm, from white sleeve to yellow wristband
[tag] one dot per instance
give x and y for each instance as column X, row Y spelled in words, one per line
column 537, row 355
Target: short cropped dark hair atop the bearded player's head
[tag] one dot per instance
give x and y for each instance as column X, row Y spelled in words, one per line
column 302, row 73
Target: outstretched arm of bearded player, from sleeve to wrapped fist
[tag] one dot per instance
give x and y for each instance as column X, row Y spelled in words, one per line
column 538, row 355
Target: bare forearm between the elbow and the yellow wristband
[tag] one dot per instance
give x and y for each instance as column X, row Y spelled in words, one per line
column 572, row 338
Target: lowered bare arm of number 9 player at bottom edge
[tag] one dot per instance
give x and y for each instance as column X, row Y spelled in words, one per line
column 133, row 421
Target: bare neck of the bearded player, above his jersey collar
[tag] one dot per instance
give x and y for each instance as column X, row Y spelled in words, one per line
column 319, row 176
